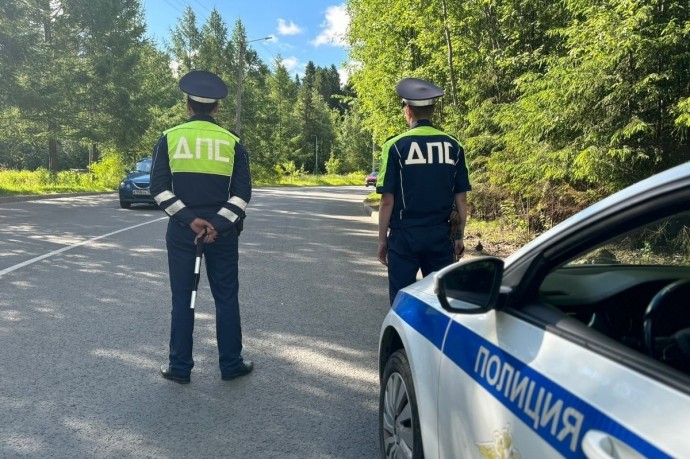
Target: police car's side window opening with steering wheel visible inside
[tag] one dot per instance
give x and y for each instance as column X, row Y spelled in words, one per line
column 634, row 289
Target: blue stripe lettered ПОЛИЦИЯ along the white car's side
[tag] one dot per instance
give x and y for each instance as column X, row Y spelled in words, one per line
column 555, row 414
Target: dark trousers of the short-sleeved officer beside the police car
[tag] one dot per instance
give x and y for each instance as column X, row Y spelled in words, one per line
column 410, row 249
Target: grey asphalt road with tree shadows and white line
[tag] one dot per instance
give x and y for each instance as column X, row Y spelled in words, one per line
column 84, row 327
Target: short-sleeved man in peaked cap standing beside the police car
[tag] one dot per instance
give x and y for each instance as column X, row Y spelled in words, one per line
column 423, row 175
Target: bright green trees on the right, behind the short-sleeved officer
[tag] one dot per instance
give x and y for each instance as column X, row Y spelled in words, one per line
column 557, row 102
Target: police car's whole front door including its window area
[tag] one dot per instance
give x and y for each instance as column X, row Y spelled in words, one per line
column 564, row 372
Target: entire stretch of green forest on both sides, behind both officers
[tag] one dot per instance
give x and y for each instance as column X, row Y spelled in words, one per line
column 557, row 103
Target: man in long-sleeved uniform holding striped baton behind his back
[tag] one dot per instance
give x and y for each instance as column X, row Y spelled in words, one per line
column 200, row 178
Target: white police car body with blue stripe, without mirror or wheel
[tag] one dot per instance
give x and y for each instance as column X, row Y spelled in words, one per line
column 502, row 383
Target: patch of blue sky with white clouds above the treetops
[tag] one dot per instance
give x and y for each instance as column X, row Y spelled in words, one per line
column 300, row 30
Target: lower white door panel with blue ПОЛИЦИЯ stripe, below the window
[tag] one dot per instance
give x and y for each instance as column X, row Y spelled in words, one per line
column 511, row 389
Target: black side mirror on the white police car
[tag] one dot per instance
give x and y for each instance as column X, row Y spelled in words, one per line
column 469, row 287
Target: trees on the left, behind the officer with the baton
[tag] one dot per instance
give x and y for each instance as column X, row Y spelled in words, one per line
column 80, row 79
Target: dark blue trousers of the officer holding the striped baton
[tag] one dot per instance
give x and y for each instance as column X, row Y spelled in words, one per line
column 222, row 271
